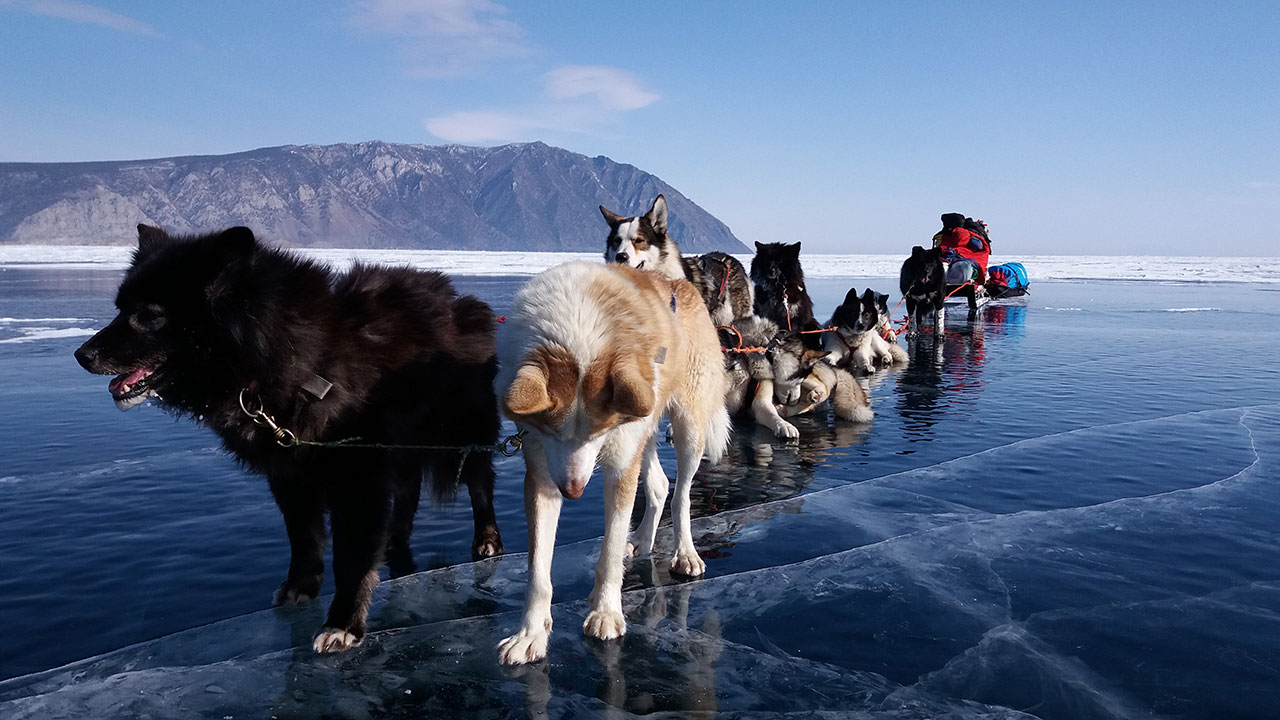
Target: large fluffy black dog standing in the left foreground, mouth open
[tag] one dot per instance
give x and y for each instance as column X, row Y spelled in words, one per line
column 205, row 320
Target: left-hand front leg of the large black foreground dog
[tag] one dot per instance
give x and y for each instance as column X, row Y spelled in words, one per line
column 304, row 522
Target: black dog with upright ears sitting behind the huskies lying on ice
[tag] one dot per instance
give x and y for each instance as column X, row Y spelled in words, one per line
column 780, row 293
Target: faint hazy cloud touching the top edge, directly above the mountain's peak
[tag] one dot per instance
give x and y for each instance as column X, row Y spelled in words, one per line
column 444, row 38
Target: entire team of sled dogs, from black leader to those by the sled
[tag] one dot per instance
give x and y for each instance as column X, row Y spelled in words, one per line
column 335, row 386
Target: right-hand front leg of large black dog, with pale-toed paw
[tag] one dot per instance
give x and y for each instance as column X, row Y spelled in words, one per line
column 359, row 518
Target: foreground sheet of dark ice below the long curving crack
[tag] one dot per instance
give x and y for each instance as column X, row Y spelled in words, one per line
column 909, row 595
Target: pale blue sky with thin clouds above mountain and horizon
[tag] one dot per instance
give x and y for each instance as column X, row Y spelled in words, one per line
column 1076, row 127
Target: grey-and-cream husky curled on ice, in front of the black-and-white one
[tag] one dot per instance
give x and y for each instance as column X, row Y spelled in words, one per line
column 804, row 380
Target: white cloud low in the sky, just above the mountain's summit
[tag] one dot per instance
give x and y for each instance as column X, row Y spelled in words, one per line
column 578, row 101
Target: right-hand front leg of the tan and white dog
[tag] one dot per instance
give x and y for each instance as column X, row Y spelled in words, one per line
column 605, row 619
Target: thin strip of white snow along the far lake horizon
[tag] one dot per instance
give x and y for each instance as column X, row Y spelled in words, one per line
column 817, row 266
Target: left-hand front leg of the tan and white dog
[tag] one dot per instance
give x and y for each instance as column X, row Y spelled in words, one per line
column 542, row 509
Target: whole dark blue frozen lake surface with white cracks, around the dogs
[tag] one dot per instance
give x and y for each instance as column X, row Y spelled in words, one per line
column 1066, row 508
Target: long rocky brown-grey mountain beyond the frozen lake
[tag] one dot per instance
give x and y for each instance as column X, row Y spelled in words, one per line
column 523, row 197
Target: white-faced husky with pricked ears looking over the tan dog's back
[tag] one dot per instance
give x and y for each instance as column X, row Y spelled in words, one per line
column 643, row 244
